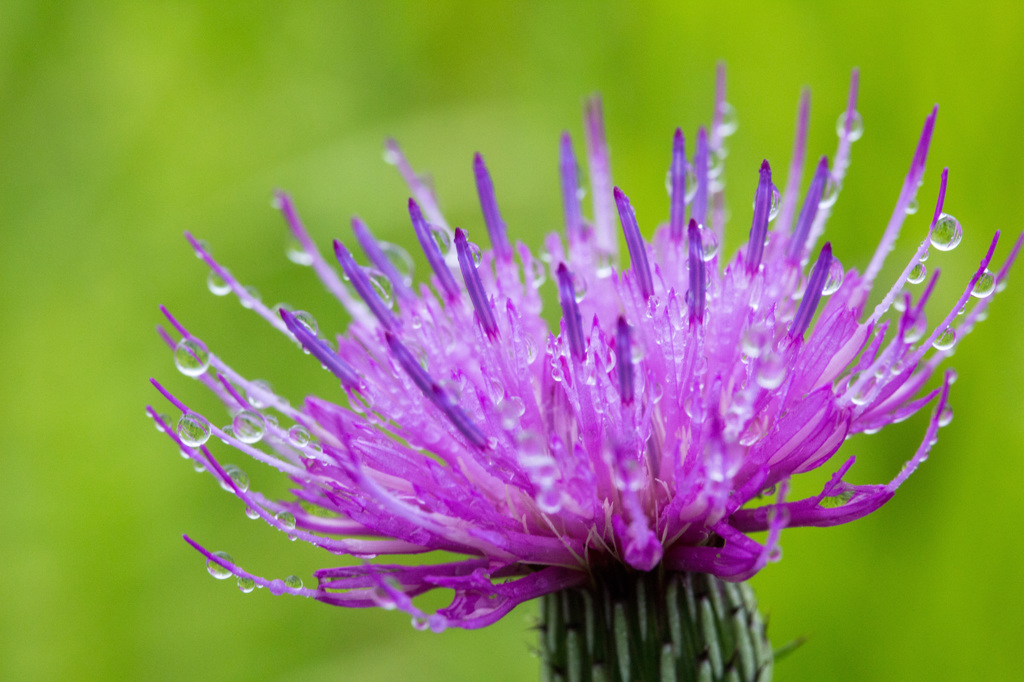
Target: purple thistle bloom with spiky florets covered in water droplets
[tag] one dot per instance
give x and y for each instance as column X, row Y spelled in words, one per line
column 658, row 425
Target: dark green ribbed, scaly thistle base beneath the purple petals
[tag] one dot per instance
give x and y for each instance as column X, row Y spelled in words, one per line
column 635, row 627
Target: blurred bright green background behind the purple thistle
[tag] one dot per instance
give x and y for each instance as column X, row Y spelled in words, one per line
column 124, row 124
